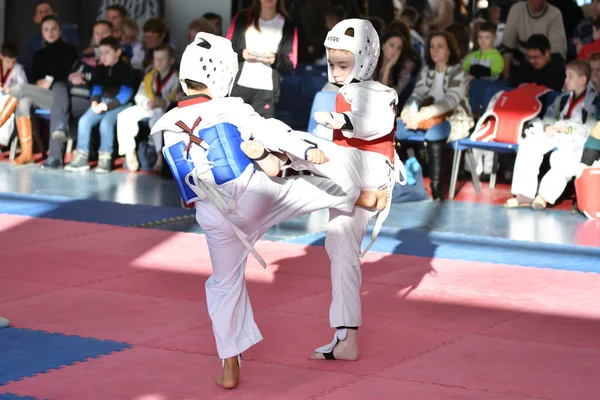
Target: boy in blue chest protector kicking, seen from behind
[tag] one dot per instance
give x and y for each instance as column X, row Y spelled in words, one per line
column 235, row 204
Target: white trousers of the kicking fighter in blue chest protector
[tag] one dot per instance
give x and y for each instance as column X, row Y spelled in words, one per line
column 263, row 203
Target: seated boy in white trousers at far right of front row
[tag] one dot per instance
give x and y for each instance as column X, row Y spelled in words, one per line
column 565, row 127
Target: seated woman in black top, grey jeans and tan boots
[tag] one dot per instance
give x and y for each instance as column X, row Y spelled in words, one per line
column 52, row 62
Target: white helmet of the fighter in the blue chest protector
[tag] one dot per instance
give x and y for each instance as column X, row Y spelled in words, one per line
column 210, row 60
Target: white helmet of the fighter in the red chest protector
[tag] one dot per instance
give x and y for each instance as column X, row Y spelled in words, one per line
column 359, row 38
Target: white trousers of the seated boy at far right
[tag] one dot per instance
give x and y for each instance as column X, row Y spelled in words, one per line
column 563, row 162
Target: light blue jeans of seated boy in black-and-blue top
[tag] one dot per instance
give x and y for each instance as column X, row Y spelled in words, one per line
column 107, row 121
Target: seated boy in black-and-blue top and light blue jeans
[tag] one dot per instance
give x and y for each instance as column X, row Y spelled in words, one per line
column 112, row 89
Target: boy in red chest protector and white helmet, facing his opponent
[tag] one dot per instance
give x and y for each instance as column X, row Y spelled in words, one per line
column 363, row 142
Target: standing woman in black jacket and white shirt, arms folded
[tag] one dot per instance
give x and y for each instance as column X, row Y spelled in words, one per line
column 266, row 42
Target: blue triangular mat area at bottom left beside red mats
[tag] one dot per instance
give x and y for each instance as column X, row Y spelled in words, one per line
column 25, row 352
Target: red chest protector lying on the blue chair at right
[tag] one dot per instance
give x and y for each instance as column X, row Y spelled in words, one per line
column 504, row 121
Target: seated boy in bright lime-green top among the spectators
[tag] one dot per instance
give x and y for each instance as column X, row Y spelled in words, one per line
column 487, row 62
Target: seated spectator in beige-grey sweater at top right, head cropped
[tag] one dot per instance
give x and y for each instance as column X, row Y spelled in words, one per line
column 529, row 18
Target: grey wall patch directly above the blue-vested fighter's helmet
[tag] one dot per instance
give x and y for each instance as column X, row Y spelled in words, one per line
column 179, row 13
